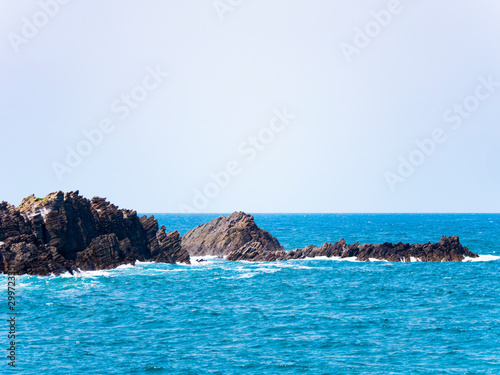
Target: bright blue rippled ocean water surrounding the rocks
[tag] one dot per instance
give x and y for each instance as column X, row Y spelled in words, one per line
column 296, row 317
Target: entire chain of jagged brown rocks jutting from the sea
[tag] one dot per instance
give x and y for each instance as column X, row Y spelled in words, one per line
column 65, row 232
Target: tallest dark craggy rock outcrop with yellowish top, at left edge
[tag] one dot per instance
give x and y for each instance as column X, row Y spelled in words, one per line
column 66, row 232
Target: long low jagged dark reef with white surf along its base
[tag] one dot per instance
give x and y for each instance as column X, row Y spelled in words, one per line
column 448, row 249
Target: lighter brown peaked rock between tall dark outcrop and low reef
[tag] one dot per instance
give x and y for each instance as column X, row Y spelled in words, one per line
column 224, row 235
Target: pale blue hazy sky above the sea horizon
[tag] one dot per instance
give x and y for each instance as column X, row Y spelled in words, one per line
column 260, row 106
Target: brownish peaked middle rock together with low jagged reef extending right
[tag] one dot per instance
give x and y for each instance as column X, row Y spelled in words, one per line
column 238, row 238
